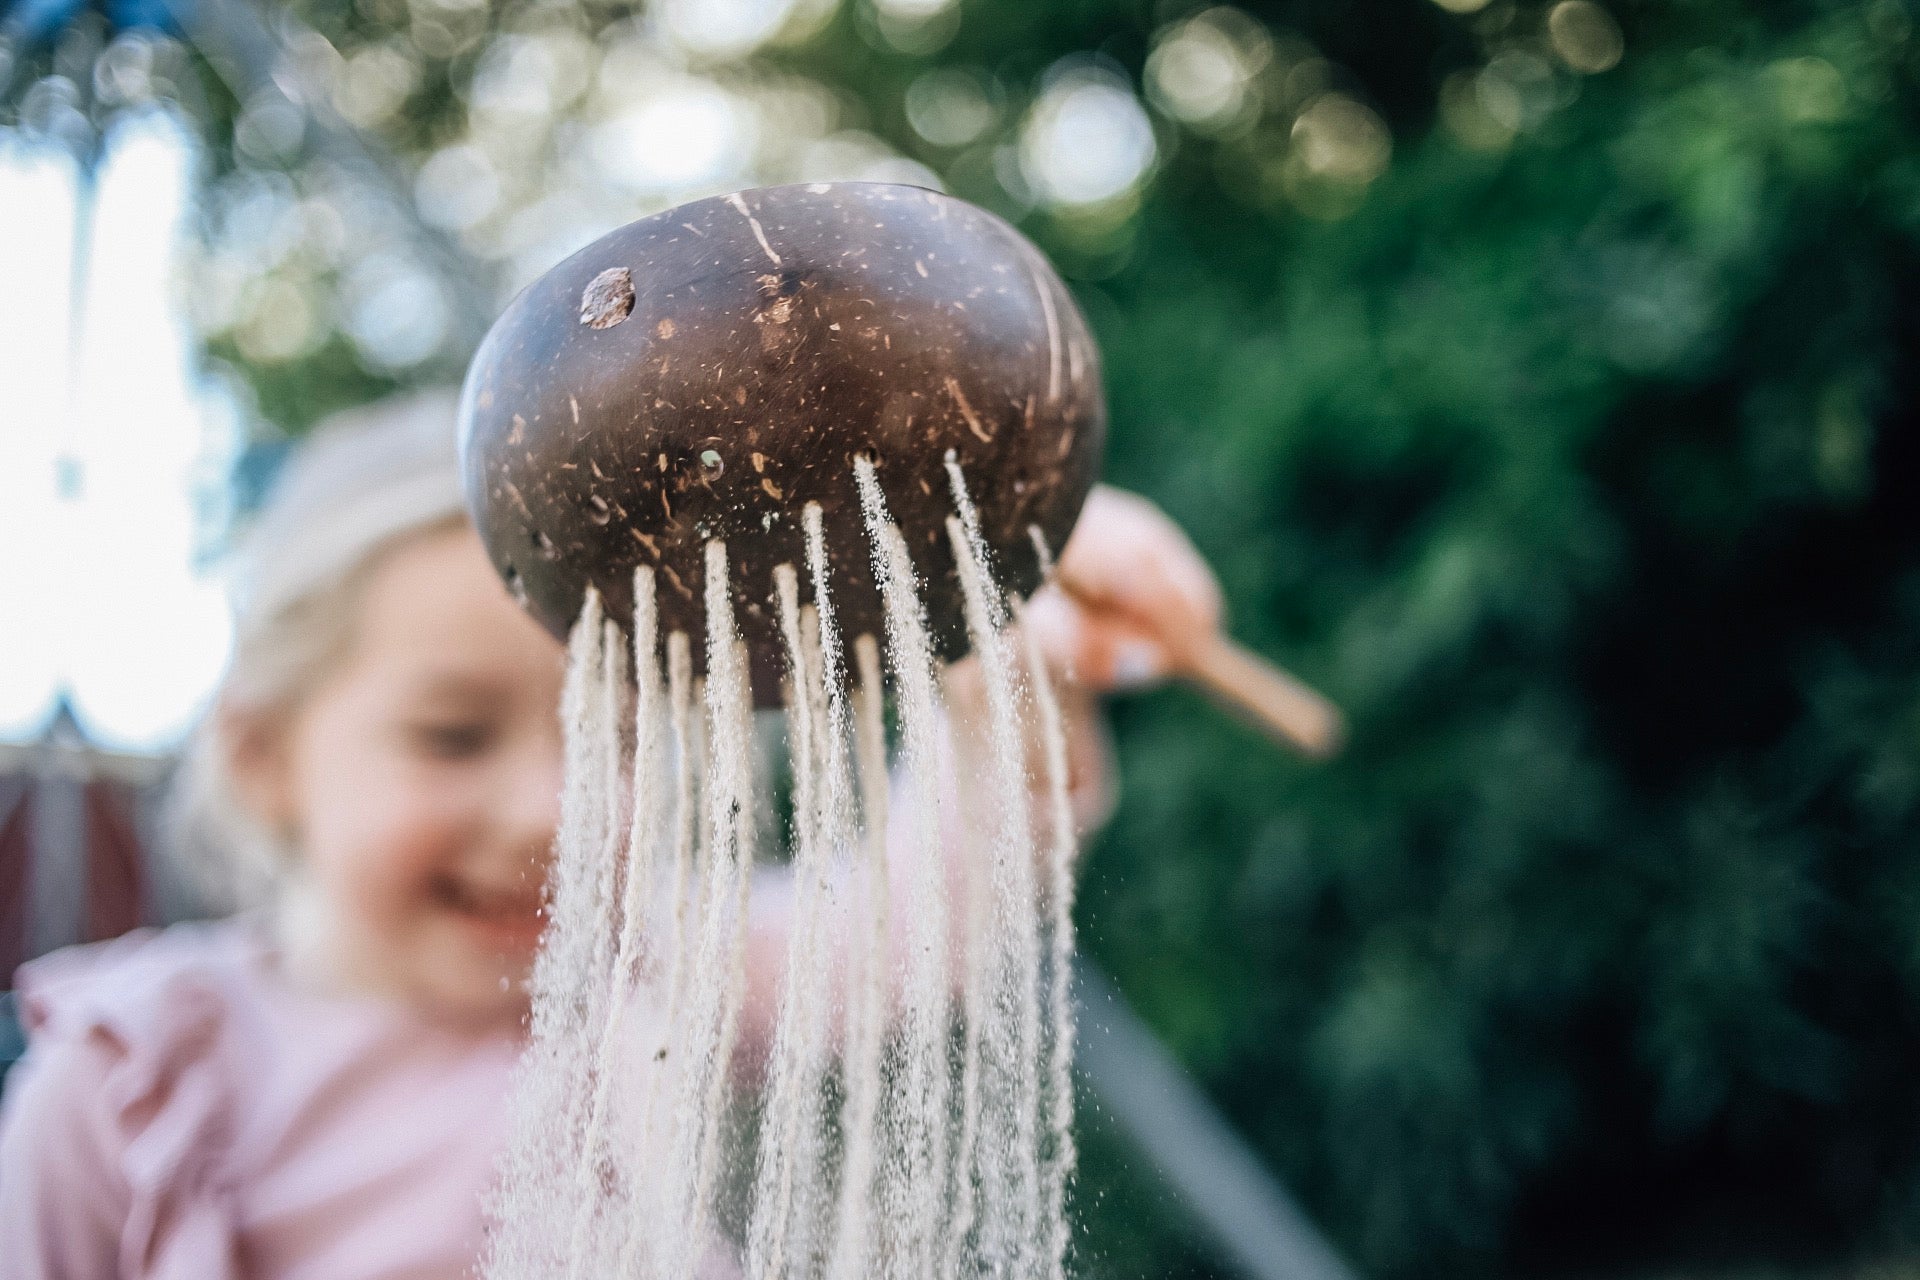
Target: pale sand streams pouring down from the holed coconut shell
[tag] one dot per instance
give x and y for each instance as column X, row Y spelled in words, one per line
column 911, row 1110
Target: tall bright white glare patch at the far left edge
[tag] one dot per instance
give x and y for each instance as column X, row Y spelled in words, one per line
column 97, row 529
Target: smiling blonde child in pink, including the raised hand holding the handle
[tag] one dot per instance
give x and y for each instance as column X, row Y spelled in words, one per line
column 316, row 1089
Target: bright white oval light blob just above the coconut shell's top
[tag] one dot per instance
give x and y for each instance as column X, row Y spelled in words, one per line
column 694, row 135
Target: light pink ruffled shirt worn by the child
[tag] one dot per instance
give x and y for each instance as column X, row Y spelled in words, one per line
column 183, row 1114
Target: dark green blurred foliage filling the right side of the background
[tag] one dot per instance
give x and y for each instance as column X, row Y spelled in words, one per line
column 1573, row 450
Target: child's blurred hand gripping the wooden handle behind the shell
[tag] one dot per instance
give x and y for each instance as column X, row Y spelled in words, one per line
column 1134, row 596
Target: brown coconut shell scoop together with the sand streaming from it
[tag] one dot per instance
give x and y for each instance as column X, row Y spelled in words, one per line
column 802, row 1010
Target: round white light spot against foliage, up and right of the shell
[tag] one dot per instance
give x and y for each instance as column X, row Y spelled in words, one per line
column 1086, row 141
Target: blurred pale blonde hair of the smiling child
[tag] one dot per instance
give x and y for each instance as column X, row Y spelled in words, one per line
column 358, row 486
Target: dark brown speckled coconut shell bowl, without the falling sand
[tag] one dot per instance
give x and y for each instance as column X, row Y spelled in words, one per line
column 709, row 371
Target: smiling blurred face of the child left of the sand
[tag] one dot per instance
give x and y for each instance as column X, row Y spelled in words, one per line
column 421, row 784
